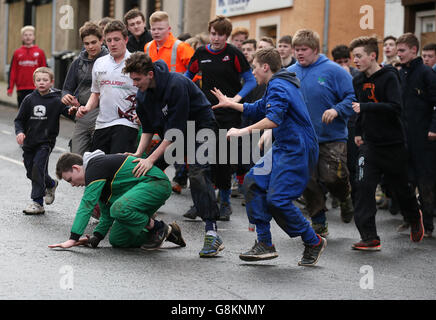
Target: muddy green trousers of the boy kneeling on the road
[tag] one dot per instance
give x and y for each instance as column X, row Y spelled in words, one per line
column 131, row 213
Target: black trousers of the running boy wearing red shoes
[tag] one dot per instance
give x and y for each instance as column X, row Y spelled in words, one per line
column 373, row 162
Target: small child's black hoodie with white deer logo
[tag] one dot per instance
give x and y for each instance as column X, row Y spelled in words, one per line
column 38, row 118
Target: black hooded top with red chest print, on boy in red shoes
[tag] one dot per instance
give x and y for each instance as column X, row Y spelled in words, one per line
column 379, row 121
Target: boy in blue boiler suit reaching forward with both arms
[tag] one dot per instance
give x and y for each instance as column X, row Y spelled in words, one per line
column 270, row 193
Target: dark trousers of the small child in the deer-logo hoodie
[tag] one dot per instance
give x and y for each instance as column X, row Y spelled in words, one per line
column 36, row 164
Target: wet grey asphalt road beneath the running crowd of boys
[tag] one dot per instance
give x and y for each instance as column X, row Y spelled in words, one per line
column 30, row 270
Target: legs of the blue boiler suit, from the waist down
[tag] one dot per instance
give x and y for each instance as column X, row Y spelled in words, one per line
column 270, row 191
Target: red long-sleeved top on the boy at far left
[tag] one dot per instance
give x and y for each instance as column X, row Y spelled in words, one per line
column 24, row 62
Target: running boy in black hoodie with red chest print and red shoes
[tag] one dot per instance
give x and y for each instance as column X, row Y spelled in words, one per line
column 381, row 141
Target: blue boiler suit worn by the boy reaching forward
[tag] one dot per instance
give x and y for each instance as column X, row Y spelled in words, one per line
column 282, row 174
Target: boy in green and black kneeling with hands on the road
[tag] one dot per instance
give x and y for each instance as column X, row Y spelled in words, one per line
column 127, row 203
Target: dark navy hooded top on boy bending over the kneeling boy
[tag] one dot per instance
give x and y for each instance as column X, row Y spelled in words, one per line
column 174, row 101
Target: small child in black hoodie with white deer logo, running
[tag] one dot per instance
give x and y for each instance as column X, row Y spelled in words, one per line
column 36, row 129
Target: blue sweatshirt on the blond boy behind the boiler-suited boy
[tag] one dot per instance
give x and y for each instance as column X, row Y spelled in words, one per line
column 326, row 85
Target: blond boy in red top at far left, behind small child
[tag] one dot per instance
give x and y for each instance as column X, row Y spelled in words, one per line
column 24, row 62
